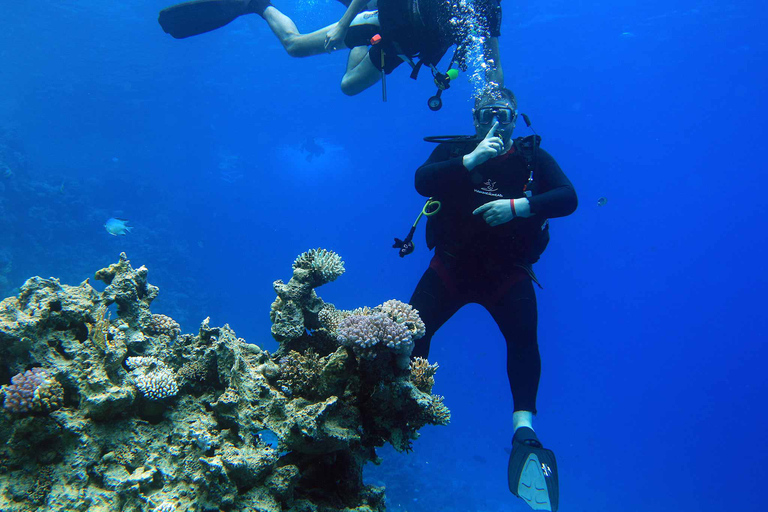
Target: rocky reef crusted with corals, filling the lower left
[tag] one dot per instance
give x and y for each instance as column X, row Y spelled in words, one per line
column 109, row 407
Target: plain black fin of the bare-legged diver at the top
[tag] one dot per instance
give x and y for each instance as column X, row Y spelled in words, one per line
column 200, row 16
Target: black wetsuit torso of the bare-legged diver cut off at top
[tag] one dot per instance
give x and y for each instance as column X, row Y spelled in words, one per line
column 427, row 28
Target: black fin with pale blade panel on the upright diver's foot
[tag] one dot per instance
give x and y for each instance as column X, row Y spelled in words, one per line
column 532, row 472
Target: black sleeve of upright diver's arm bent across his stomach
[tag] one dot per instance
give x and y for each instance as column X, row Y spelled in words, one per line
column 557, row 197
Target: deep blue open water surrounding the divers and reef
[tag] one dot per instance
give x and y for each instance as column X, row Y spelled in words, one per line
column 652, row 318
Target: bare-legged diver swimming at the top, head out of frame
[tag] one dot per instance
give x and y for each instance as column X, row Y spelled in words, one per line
column 380, row 40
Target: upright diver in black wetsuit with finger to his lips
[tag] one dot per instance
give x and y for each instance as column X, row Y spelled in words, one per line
column 495, row 197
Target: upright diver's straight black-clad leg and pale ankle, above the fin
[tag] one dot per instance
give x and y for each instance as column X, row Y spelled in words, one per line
column 517, row 318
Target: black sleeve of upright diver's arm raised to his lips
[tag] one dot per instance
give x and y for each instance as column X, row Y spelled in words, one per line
column 441, row 174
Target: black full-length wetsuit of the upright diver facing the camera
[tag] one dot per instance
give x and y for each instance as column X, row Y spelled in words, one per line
column 490, row 266
